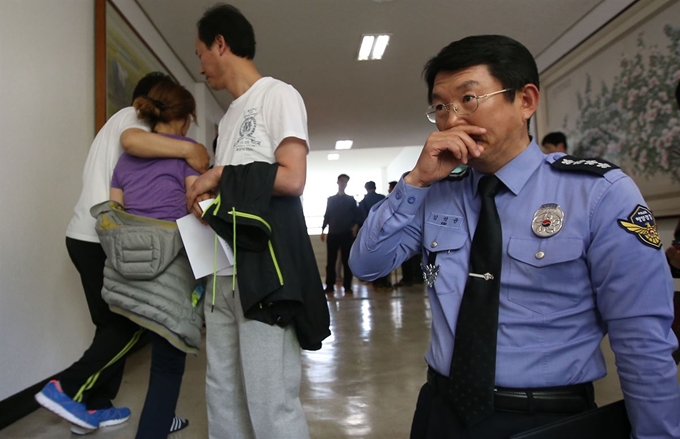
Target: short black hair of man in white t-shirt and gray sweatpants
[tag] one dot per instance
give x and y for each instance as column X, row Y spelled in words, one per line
column 228, row 21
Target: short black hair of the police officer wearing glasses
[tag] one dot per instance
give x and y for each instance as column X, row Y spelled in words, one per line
column 507, row 60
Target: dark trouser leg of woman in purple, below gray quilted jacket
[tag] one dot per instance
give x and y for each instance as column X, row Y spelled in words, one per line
column 167, row 369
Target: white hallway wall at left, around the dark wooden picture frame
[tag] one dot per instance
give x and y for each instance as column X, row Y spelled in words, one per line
column 47, row 125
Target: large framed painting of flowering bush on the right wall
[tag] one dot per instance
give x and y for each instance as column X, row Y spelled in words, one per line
column 613, row 97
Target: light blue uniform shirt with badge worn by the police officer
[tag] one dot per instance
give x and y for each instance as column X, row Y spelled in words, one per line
column 559, row 294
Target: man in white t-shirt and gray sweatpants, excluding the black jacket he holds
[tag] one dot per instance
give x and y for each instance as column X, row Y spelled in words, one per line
column 254, row 371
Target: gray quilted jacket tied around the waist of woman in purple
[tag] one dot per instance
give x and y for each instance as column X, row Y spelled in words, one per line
column 147, row 276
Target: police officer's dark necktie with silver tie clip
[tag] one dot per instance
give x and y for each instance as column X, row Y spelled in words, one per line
column 473, row 366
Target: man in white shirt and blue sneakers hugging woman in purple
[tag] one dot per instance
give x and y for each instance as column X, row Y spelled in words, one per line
column 83, row 393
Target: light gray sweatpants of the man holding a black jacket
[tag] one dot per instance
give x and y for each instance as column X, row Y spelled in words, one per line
column 254, row 373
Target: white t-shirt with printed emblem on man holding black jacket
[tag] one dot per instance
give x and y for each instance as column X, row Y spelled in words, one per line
column 257, row 122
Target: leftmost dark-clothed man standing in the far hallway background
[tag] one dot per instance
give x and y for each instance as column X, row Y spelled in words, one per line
column 342, row 218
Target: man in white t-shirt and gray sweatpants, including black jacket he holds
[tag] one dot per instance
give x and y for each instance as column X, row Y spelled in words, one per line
column 254, row 359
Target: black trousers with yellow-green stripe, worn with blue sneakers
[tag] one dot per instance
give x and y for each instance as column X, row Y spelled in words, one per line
column 95, row 378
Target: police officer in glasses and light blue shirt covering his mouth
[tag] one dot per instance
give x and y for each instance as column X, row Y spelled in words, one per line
column 580, row 257
